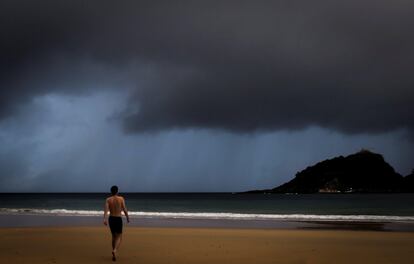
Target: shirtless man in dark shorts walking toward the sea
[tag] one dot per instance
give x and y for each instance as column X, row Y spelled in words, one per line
column 115, row 205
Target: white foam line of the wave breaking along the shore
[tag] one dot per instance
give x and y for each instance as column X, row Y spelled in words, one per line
column 218, row 215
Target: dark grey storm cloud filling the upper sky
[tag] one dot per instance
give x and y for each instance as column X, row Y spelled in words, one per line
column 234, row 65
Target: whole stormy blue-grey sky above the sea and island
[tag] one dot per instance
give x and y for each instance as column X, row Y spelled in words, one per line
column 199, row 95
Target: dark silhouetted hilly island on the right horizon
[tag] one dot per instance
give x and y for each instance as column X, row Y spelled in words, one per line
column 362, row 172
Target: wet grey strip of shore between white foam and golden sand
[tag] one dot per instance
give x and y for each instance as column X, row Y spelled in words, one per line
column 30, row 220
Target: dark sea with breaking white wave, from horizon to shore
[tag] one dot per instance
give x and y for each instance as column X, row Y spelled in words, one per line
column 226, row 206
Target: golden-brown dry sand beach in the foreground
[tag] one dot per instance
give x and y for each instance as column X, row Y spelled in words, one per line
column 204, row 245
